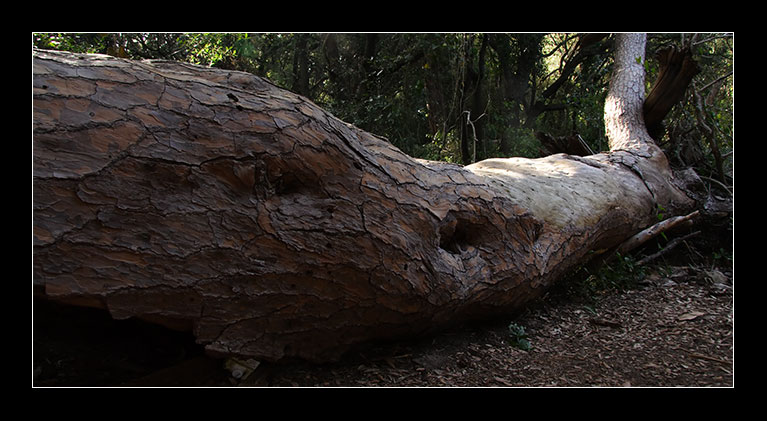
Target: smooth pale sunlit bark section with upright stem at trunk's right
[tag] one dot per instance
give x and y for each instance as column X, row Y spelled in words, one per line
column 568, row 192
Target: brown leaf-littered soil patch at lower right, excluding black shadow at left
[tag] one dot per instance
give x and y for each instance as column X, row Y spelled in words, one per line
column 674, row 330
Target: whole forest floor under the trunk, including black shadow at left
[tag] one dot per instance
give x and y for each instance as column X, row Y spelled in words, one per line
column 674, row 327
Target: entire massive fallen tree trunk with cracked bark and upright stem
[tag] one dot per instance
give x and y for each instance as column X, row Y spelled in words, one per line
column 212, row 200
